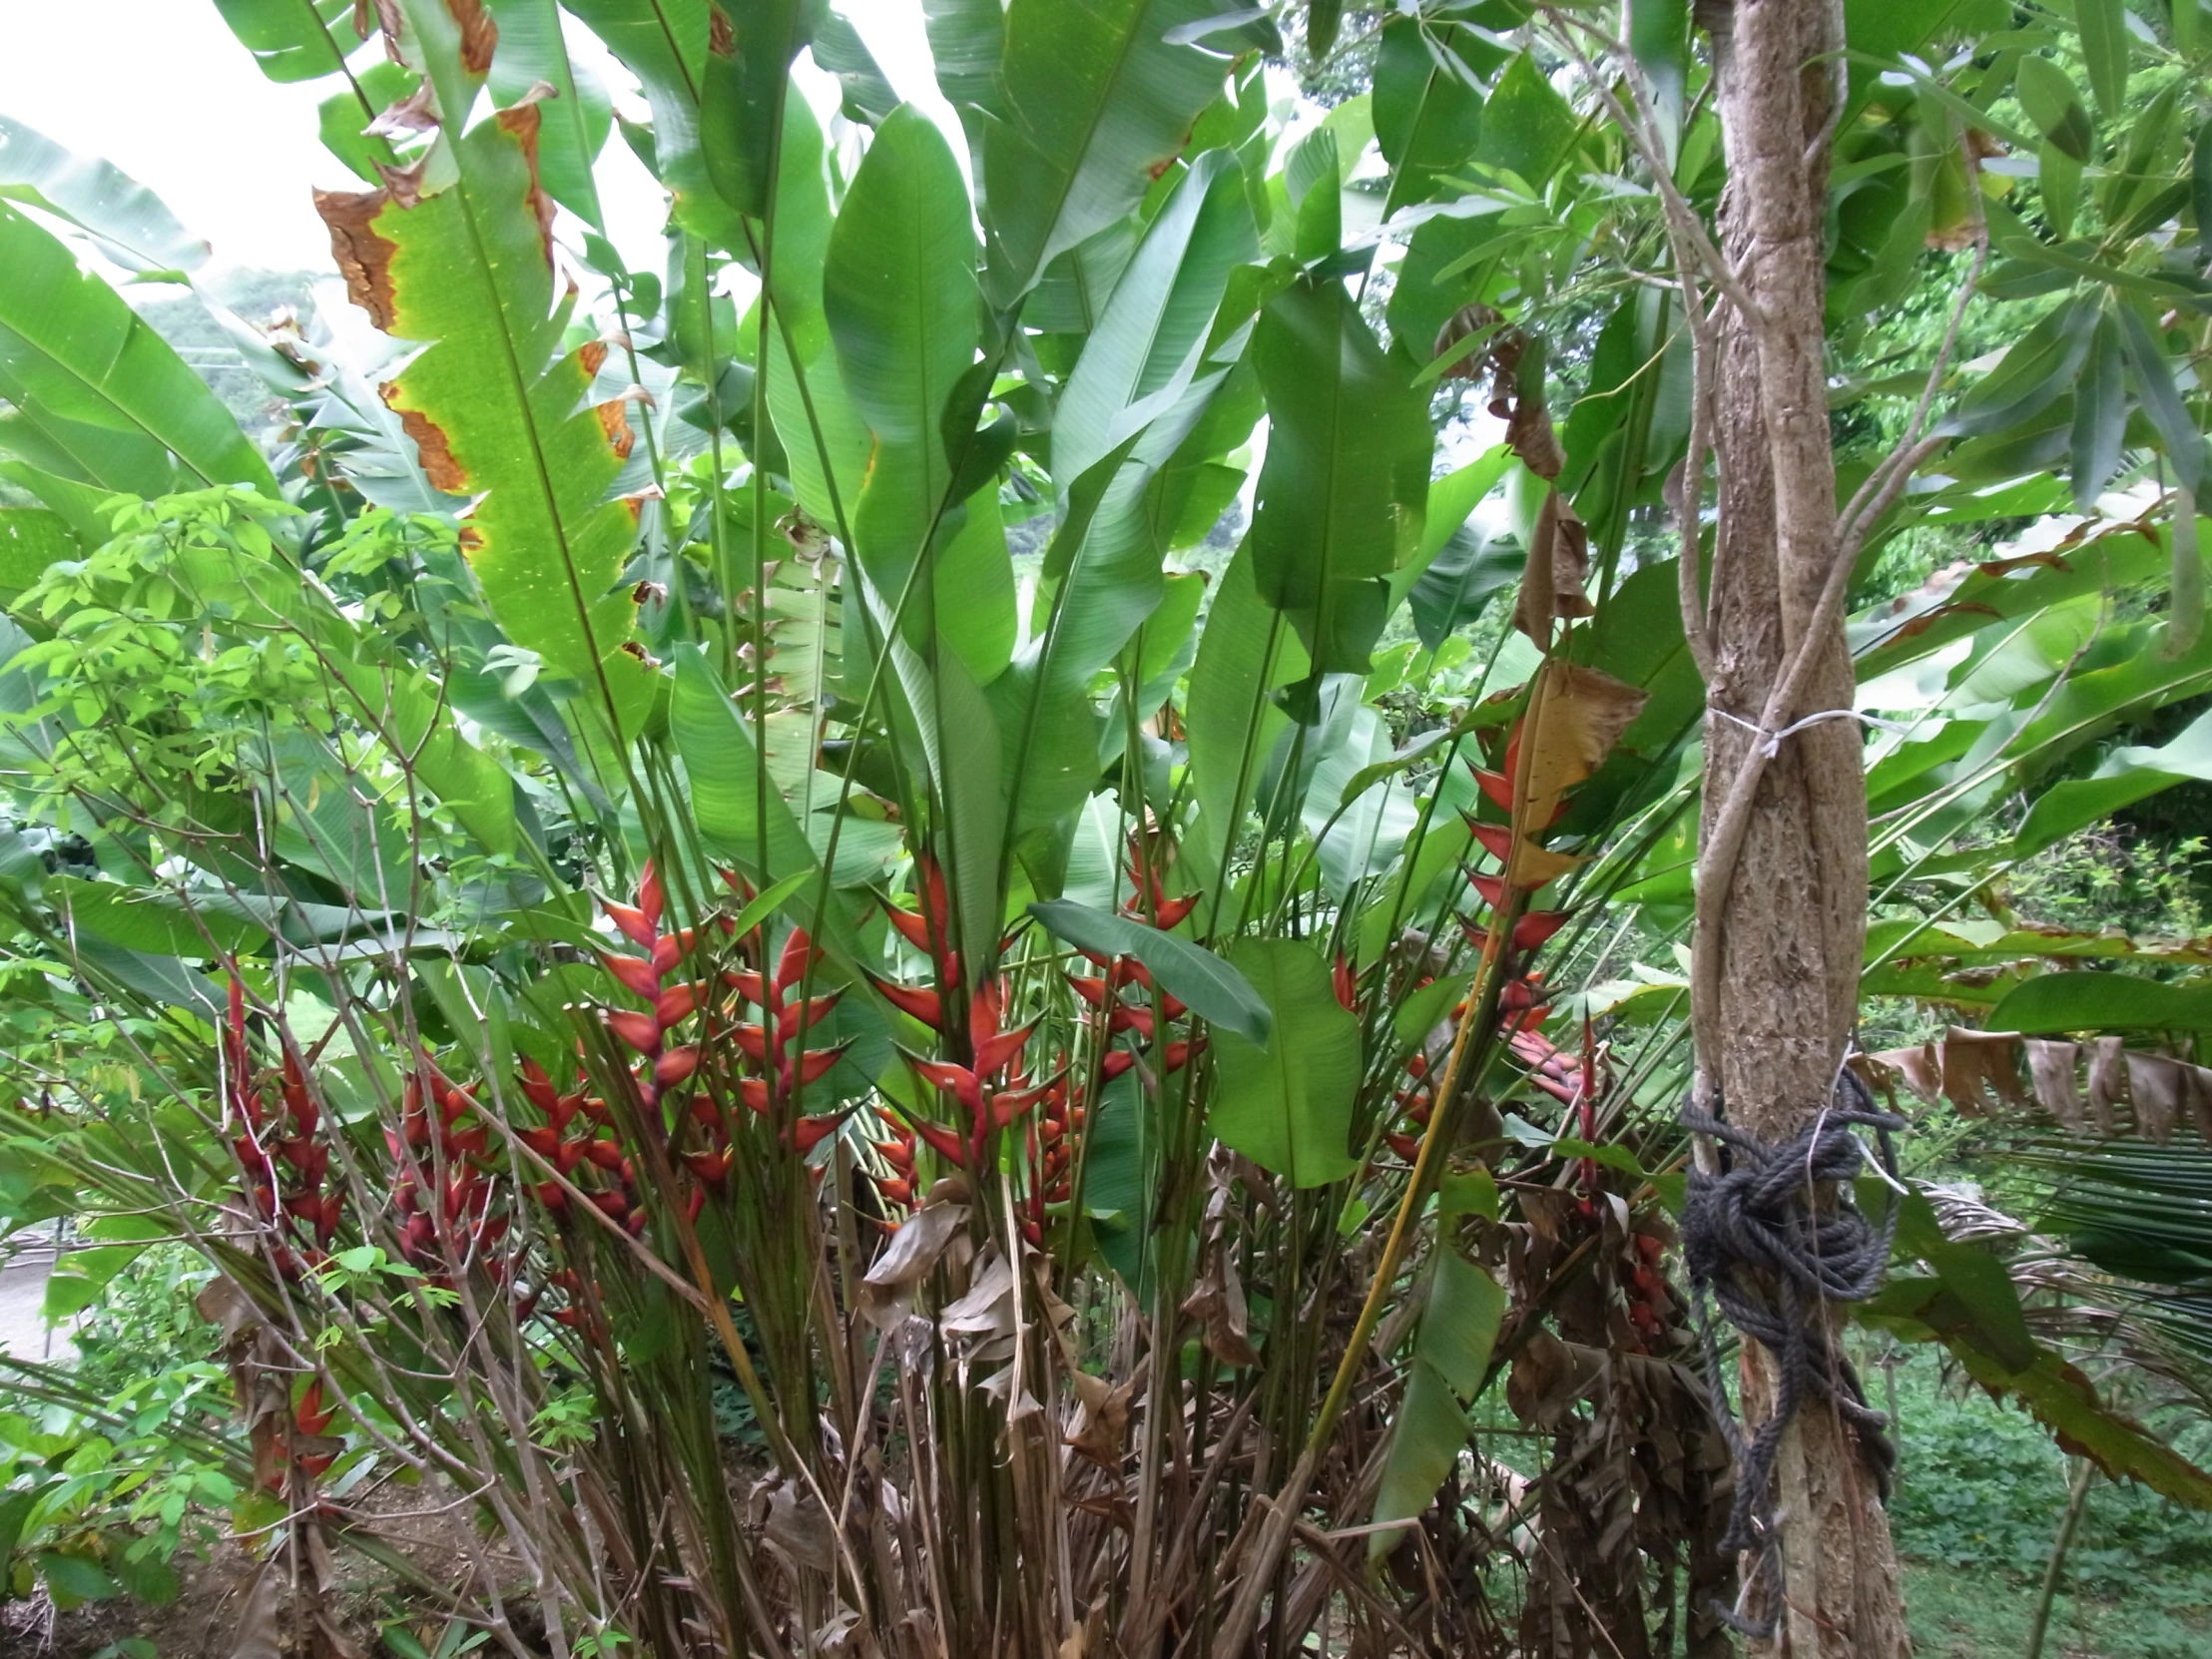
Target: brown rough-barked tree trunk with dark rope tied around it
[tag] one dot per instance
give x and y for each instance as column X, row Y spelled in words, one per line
column 1791, row 930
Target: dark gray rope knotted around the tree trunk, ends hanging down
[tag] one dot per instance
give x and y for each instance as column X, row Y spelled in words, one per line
column 1775, row 1260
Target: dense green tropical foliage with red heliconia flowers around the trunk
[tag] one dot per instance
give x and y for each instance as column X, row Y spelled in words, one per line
column 709, row 844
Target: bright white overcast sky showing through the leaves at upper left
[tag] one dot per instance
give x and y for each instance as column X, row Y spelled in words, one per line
column 167, row 94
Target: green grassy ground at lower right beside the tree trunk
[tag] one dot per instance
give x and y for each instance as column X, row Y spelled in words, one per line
column 1976, row 1512
